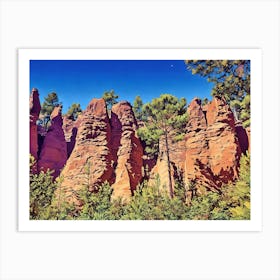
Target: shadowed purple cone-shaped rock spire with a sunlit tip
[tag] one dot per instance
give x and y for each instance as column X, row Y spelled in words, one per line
column 53, row 153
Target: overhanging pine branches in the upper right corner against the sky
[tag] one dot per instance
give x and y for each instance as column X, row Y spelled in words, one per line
column 231, row 80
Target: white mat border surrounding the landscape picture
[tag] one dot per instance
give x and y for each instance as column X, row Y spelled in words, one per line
column 25, row 55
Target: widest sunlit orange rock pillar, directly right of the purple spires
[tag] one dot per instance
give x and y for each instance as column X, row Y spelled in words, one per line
column 91, row 162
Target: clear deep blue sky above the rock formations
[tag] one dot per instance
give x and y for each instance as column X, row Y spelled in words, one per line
column 78, row 81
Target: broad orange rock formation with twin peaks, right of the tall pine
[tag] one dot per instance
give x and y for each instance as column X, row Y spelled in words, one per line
column 212, row 147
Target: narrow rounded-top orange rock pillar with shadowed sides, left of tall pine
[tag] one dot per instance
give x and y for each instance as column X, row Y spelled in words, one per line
column 127, row 151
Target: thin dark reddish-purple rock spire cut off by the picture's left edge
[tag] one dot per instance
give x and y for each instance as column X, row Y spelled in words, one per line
column 34, row 110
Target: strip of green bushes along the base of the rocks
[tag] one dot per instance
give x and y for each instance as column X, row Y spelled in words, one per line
column 149, row 202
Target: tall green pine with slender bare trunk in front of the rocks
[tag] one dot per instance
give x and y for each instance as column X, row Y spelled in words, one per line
column 166, row 120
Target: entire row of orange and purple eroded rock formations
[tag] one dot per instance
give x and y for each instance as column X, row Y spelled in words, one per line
column 94, row 149
